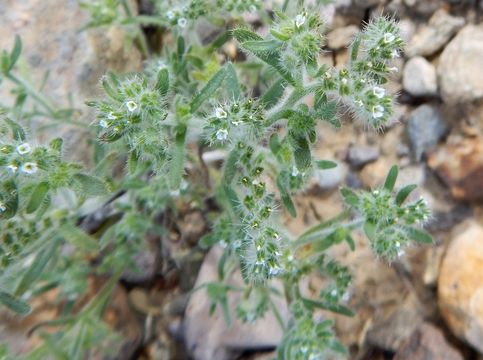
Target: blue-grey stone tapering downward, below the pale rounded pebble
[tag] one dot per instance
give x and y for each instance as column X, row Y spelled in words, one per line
column 426, row 127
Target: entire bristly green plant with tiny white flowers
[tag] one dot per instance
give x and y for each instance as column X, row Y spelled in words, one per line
column 151, row 129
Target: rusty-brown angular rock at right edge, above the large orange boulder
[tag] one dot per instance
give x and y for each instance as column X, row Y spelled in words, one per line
column 459, row 163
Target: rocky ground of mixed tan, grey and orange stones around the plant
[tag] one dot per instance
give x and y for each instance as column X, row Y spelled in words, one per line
column 428, row 305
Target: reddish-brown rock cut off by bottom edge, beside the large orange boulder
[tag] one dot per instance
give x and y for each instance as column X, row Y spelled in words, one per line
column 427, row 343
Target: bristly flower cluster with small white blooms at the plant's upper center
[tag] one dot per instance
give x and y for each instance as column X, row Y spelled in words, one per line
column 238, row 121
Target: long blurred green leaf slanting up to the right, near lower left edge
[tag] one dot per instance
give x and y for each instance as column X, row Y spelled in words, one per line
column 35, row 270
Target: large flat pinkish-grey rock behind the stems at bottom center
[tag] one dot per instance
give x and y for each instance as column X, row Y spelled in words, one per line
column 209, row 337
